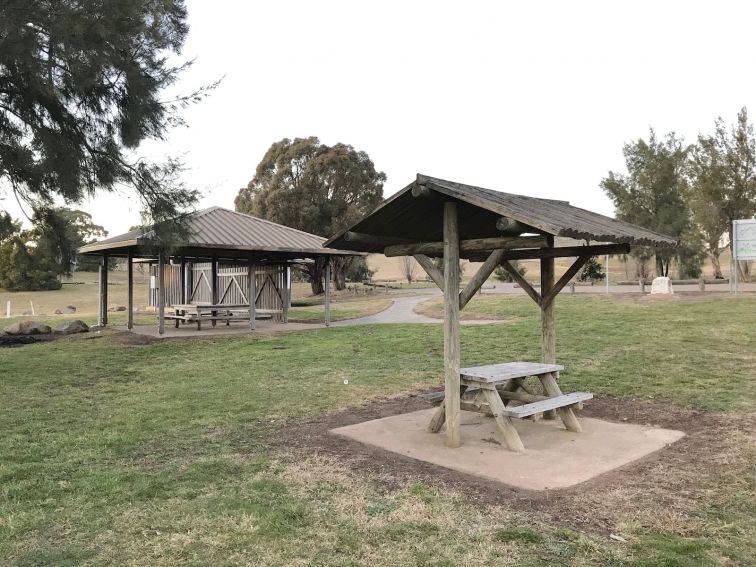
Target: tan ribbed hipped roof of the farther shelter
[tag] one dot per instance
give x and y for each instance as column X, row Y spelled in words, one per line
column 219, row 229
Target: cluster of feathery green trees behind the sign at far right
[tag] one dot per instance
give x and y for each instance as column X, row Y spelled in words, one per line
column 691, row 192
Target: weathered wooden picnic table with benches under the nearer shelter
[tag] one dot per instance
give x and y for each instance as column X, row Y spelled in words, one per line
column 492, row 388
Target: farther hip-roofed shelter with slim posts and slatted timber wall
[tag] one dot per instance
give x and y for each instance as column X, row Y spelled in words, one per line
column 222, row 259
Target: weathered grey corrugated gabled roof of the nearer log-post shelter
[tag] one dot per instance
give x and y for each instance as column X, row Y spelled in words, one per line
column 418, row 218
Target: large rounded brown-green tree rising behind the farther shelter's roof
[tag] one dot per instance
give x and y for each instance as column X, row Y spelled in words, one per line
column 308, row 185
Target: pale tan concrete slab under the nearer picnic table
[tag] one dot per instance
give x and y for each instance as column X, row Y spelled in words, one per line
column 554, row 457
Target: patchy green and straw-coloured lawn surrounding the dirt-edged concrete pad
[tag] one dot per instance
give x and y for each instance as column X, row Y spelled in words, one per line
column 166, row 453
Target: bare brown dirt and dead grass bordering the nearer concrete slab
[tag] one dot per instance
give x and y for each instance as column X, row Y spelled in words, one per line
column 661, row 491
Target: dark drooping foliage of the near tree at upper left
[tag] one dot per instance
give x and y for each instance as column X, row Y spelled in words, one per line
column 80, row 88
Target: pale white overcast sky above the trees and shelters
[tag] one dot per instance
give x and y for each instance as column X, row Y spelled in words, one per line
column 528, row 97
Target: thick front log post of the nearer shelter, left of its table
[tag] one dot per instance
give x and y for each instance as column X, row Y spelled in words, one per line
column 451, row 325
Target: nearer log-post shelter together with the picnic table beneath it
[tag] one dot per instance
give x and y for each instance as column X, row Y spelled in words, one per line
column 434, row 218
